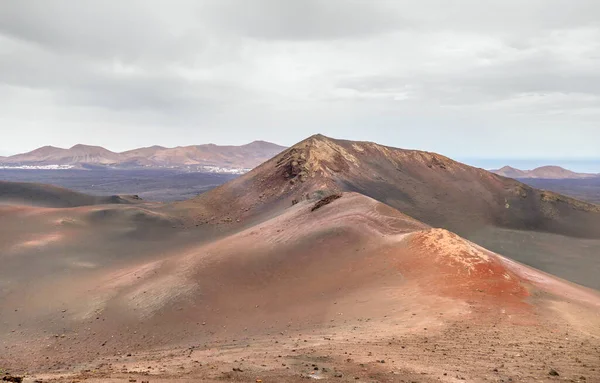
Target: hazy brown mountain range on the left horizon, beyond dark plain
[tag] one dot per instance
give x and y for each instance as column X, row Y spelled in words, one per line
column 209, row 157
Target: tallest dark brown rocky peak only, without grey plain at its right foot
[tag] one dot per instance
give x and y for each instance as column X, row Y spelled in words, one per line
column 427, row 186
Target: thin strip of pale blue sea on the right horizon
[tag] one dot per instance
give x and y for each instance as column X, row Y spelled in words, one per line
column 591, row 165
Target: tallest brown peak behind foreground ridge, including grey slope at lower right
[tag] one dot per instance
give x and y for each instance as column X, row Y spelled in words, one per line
column 539, row 228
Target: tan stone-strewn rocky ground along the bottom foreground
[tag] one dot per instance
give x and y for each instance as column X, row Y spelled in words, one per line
column 418, row 346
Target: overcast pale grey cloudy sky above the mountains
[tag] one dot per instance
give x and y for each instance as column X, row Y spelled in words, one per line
column 469, row 79
